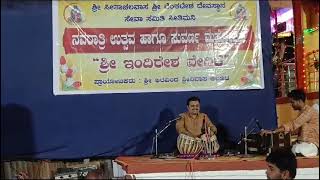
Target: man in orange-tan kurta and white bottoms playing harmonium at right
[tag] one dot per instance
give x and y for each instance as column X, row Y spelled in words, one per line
column 308, row 122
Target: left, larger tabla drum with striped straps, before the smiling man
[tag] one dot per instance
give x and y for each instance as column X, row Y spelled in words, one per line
column 188, row 145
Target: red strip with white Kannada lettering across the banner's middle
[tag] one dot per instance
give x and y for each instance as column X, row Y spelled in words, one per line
column 150, row 39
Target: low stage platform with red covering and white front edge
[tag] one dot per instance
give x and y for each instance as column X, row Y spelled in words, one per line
column 218, row 167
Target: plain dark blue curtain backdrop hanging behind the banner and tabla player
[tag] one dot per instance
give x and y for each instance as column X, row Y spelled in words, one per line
column 36, row 124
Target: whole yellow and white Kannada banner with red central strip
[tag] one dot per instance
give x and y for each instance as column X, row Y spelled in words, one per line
column 146, row 46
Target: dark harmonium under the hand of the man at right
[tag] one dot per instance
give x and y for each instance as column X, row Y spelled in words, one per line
column 262, row 144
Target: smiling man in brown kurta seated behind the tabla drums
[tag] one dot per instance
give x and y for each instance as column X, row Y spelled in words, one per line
column 196, row 124
